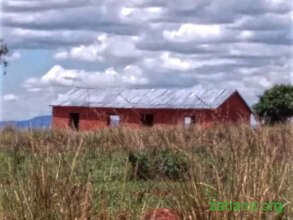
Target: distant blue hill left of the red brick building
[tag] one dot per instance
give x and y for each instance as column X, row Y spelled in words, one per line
column 34, row 123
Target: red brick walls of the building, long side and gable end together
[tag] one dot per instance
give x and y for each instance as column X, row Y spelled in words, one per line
column 94, row 118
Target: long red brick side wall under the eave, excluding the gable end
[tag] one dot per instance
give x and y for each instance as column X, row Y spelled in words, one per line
column 95, row 118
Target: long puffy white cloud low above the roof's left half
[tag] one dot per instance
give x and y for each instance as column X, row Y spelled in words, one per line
column 58, row 76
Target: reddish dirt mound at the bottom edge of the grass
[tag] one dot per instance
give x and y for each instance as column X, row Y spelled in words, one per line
column 161, row 214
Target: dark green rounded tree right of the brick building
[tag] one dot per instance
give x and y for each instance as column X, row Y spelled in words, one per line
column 276, row 104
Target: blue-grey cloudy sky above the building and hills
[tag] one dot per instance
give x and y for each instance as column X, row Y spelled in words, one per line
column 57, row 44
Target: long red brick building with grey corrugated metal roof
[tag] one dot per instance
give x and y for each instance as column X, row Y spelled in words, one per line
column 90, row 109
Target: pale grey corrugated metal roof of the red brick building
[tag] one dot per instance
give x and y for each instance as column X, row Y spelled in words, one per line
column 191, row 98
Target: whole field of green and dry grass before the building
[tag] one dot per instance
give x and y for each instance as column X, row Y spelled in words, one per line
column 121, row 173
